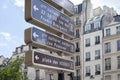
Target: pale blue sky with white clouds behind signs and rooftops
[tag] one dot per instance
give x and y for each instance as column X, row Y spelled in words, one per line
column 13, row 24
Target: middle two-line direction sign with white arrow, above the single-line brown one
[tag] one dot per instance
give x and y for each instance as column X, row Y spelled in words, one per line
column 48, row 41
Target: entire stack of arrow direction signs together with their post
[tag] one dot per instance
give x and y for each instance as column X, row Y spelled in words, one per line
column 55, row 23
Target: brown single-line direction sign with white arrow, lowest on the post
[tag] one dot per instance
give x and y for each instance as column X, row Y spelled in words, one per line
column 48, row 61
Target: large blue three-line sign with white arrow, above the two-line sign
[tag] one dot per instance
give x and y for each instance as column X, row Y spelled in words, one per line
column 42, row 14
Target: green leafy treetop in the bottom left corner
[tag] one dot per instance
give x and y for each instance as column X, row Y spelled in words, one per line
column 12, row 71
